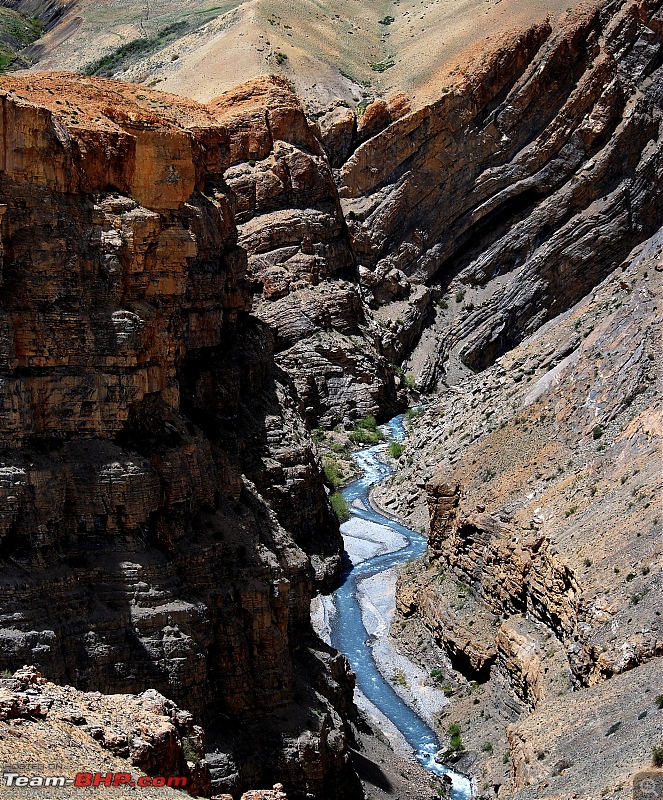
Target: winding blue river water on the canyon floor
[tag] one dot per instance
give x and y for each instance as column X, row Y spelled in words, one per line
column 348, row 633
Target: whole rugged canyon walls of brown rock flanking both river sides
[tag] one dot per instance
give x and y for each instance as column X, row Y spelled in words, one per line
column 197, row 297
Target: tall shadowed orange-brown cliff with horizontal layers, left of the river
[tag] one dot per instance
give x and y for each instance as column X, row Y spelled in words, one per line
column 163, row 517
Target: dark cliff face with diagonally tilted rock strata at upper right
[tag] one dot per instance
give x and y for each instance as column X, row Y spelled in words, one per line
column 522, row 187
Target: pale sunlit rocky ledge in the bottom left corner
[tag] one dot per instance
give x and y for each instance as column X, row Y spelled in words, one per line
column 52, row 730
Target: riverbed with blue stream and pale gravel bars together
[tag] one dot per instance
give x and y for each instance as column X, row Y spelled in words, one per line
column 356, row 617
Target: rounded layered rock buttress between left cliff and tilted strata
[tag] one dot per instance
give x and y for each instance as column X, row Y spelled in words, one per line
column 291, row 226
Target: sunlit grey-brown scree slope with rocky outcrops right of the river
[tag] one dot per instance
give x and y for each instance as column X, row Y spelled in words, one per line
column 542, row 577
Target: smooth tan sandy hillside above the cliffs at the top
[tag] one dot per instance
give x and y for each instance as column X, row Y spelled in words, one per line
column 330, row 46
